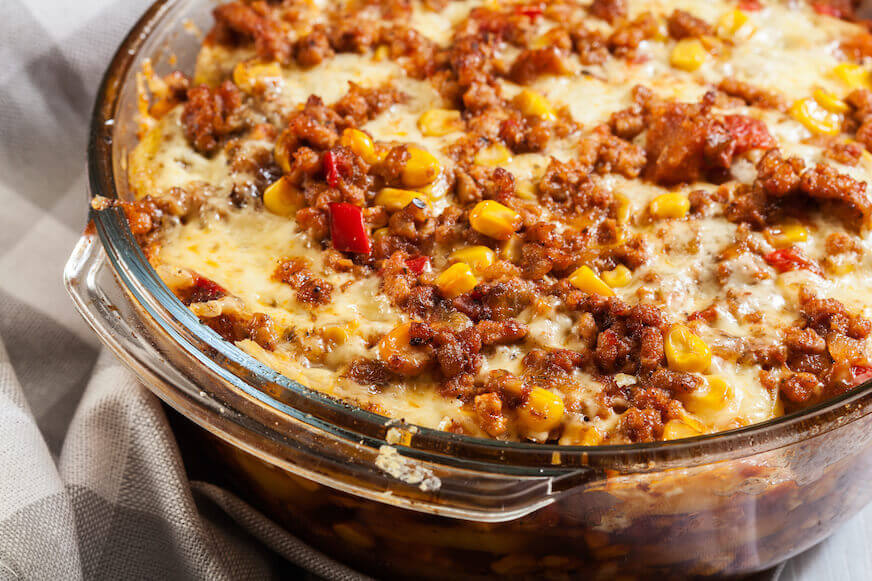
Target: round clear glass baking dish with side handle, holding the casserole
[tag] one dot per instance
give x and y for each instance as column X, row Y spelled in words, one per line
column 398, row 500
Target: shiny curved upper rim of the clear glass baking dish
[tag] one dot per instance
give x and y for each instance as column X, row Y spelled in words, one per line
column 115, row 235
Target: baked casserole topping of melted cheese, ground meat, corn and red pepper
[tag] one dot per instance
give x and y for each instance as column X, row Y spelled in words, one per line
column 577, row 222
